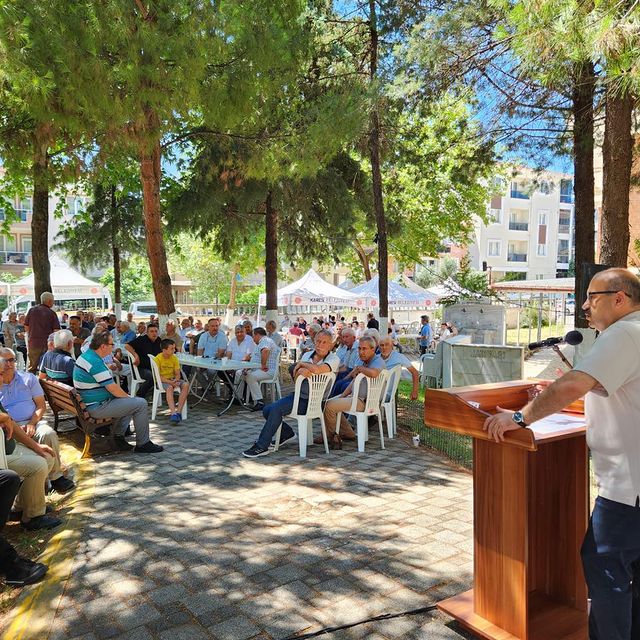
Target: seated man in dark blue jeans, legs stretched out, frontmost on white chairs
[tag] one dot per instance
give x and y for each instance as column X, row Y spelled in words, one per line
column 321, row 360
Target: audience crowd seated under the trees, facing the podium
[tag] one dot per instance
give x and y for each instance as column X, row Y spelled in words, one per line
column 99, row 356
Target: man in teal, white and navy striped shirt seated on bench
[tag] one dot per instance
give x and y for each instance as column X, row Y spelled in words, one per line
column 105, row 399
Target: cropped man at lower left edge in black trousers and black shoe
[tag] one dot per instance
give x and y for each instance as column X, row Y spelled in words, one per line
column 17, row 571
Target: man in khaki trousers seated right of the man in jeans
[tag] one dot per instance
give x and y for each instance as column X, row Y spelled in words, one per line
column 371, row 366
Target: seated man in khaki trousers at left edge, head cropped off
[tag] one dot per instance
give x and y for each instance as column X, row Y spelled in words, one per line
column 32, row 462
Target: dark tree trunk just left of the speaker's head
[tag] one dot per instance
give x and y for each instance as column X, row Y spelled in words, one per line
column 583, row 96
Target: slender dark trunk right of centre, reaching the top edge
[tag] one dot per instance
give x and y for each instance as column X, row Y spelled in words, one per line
column 378, row 202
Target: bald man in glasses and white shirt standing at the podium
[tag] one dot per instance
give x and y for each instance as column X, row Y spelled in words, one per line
column 609, row 375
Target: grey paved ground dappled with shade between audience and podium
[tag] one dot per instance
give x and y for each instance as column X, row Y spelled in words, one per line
column 199, row 542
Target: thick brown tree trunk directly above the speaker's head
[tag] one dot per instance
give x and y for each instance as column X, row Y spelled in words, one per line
column 617, row 150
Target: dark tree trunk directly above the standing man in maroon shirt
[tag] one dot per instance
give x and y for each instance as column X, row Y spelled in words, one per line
column 40, row 215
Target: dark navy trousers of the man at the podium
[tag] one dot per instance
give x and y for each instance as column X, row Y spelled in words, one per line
column 611, row 562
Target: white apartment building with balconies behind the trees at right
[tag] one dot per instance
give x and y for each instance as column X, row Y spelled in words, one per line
column 530, row 231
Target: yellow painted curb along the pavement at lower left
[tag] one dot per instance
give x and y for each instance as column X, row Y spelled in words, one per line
column 34, row 613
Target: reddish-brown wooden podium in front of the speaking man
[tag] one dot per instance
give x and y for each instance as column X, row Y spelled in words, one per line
column 531, row 495
